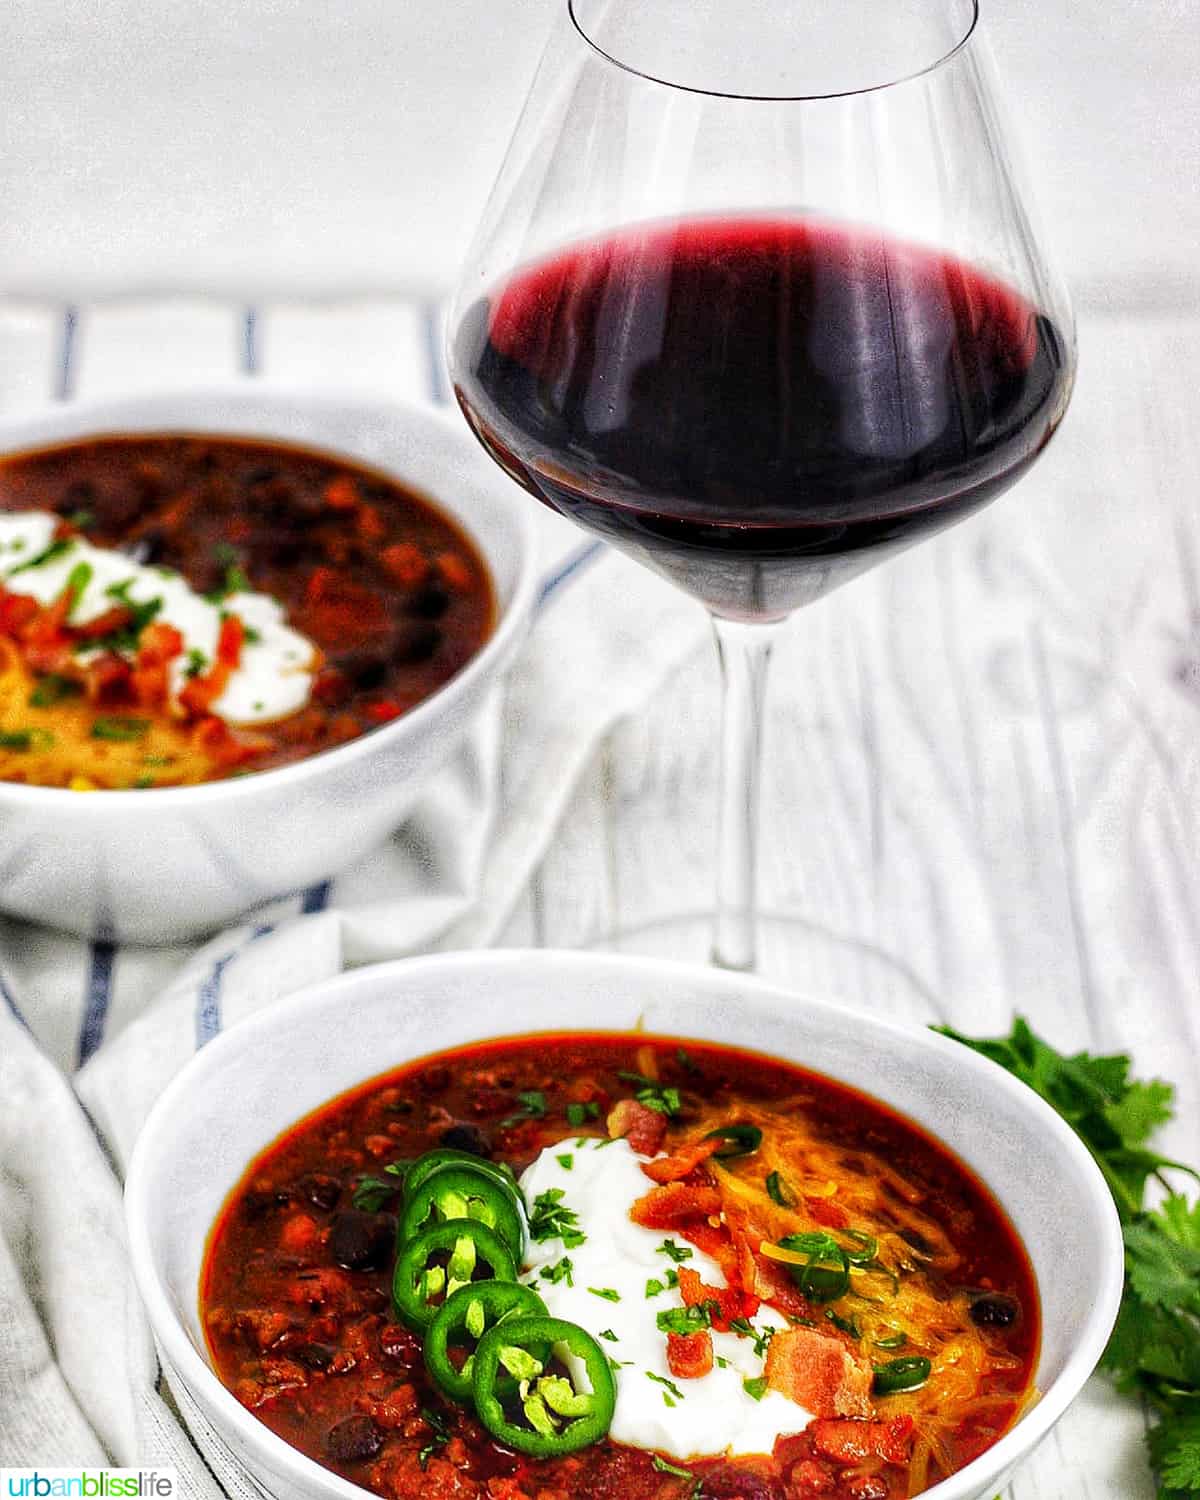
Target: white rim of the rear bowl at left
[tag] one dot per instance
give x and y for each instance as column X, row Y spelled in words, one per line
column 89, row 413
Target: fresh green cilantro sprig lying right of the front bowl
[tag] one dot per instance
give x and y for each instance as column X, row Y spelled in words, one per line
column 1156, row 1348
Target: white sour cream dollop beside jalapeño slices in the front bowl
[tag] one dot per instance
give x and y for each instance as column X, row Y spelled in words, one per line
column 607, row 1294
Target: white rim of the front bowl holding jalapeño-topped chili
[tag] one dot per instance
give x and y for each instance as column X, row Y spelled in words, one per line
column 194, row 1370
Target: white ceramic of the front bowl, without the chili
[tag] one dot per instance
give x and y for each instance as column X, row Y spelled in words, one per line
column 250, row 1085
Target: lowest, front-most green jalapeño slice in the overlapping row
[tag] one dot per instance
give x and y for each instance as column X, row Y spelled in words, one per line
column 550, row 1417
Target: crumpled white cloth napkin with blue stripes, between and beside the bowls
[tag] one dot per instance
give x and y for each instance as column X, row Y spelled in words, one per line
column 89, row 1036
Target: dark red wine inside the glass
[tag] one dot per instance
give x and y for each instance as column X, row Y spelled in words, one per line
column 760, row 409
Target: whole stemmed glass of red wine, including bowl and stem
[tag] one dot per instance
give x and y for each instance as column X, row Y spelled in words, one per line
column 760, row 301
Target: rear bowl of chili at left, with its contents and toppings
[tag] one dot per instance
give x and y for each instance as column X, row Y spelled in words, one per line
column 377, row 580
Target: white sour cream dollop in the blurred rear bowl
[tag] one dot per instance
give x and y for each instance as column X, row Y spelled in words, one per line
column 274, row 677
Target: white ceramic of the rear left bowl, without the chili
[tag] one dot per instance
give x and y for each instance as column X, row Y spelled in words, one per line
column 172, row 863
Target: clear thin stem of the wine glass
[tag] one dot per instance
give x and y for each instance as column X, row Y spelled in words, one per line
column 745, row 655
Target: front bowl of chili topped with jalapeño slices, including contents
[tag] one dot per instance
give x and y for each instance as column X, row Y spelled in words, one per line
column 427, row 1369
